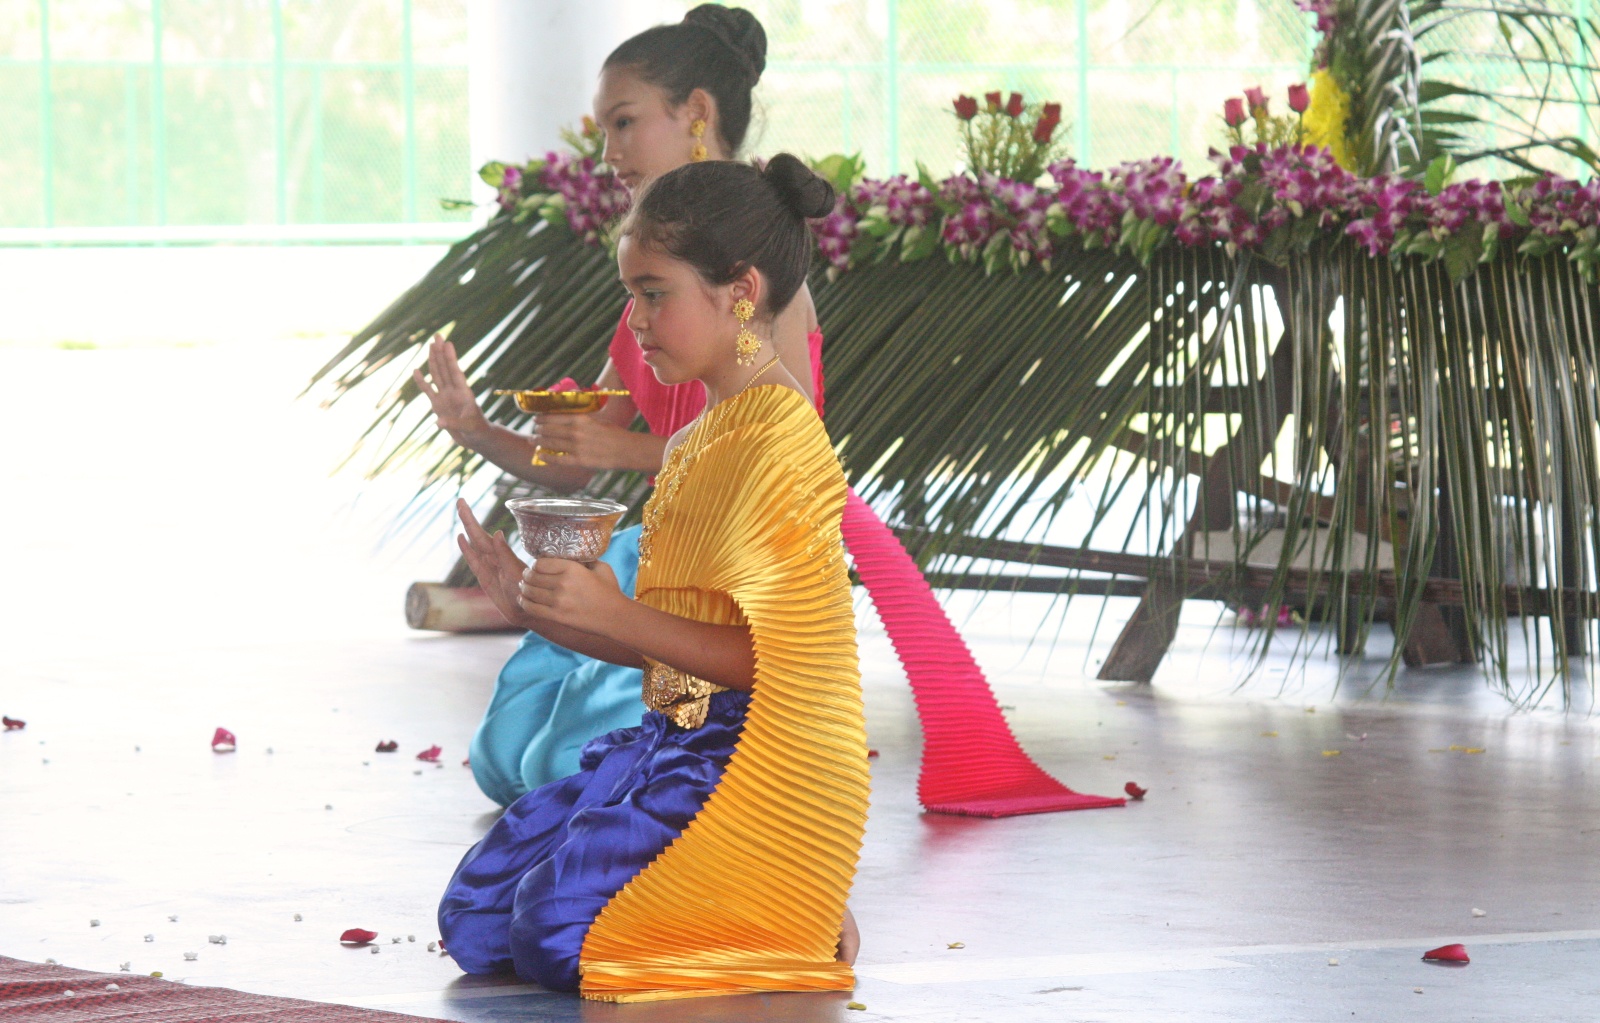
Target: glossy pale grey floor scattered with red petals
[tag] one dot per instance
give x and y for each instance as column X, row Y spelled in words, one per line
column 1290, row 820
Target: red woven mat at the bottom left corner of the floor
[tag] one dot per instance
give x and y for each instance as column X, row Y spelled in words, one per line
column 42, row 992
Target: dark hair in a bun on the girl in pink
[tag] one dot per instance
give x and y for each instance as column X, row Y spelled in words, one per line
column 718, row 49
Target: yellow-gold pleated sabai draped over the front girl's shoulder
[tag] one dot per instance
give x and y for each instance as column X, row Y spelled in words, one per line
column 753, row 894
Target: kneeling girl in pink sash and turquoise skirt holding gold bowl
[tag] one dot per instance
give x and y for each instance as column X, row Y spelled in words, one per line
column 668, row 97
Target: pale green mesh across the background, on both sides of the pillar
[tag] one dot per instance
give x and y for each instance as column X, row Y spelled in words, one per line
column 305, row 113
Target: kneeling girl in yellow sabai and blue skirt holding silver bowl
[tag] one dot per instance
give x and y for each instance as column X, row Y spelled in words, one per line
column 711, row 849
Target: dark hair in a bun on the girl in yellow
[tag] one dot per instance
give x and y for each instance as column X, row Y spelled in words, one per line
column 724, row 219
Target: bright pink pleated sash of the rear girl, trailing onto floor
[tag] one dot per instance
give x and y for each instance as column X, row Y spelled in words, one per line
column 972, row 763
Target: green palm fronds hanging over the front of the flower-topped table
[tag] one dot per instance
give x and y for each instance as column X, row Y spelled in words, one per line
column 1444, row 463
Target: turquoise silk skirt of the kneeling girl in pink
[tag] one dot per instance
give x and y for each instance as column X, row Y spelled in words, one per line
column 550, row 702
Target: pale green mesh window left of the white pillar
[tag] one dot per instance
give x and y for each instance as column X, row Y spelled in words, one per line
column 233, row 113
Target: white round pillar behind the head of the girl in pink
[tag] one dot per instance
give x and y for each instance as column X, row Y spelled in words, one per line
column 534, row 66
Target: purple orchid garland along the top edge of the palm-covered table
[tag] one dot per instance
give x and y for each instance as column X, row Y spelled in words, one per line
column 1266, row 199
